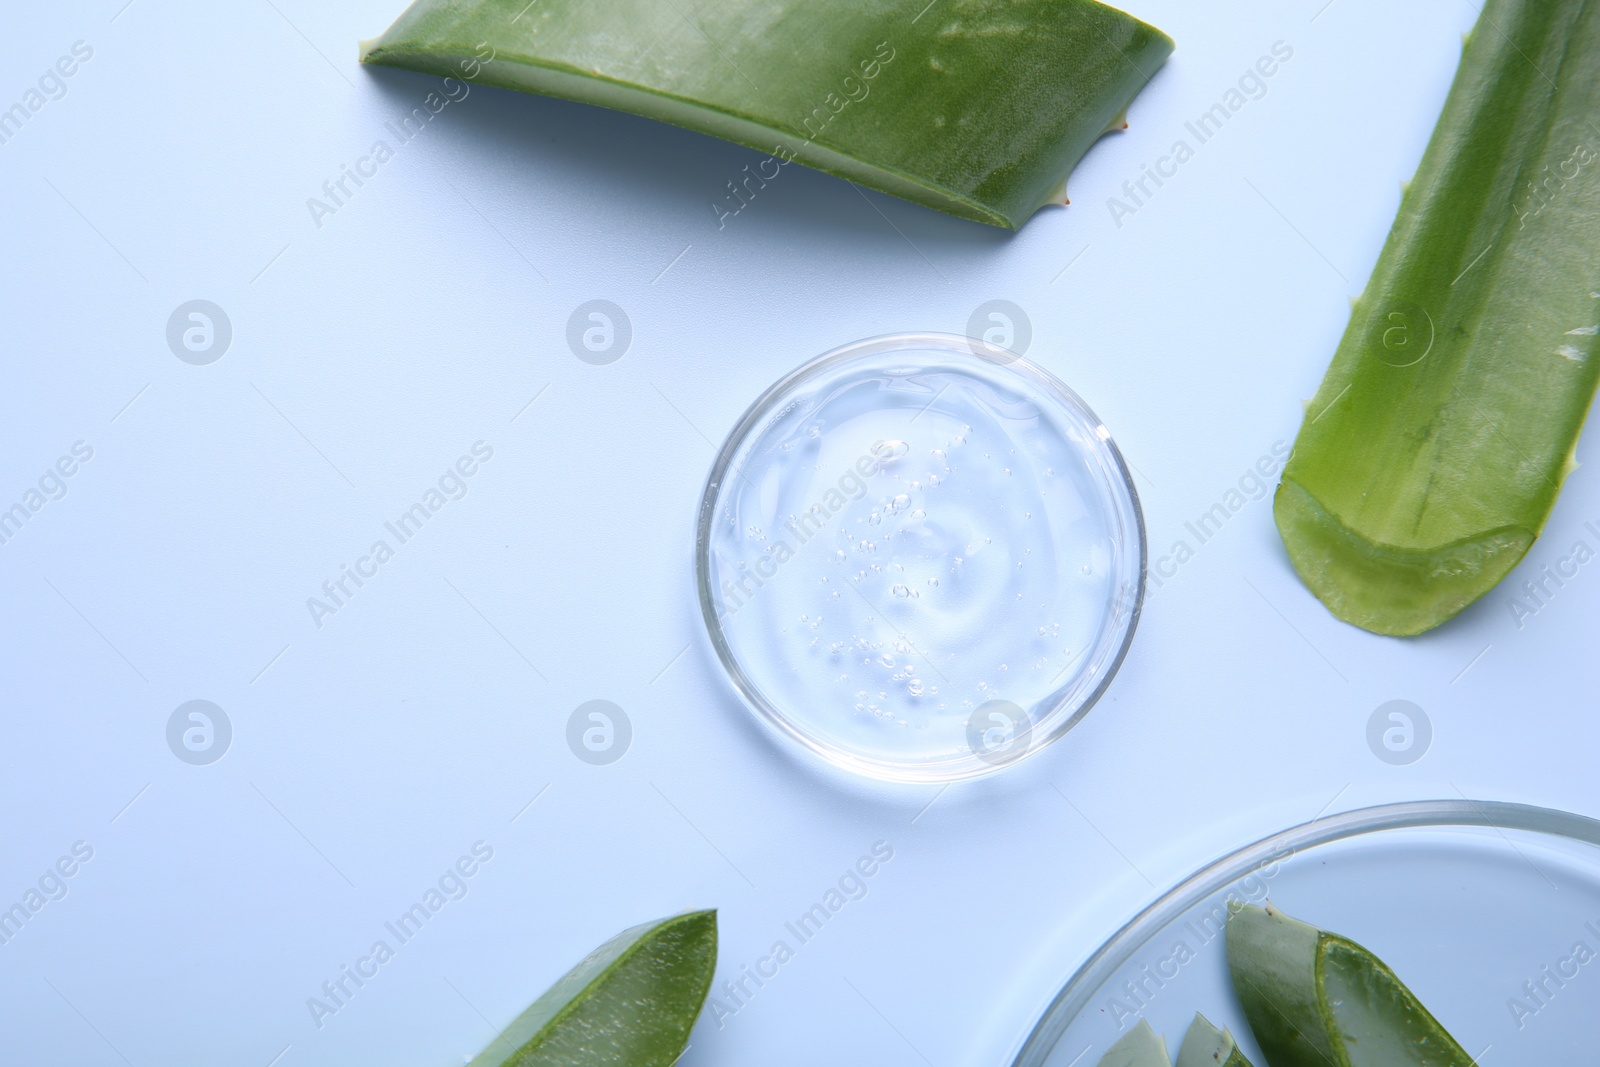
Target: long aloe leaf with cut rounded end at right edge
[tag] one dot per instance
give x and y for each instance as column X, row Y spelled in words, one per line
column 1434, row 450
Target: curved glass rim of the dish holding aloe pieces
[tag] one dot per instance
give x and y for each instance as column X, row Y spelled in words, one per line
column 1121, row 948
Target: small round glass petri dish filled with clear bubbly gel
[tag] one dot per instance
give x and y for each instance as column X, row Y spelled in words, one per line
column 921, row 557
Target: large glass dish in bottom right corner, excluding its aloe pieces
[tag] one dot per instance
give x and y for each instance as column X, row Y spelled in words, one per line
column 1468, row 901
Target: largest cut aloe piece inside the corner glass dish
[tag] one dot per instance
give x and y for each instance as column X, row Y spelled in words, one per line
column 1321, row 1001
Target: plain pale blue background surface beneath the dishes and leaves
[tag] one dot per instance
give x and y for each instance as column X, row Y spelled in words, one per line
column 374, row 351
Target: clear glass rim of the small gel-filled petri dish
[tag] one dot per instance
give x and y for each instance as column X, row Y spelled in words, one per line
column 1121, row 617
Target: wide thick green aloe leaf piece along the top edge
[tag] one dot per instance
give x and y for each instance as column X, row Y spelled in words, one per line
column 978, row 108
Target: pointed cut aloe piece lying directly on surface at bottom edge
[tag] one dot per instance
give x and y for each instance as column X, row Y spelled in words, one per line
column 631, row 1004
